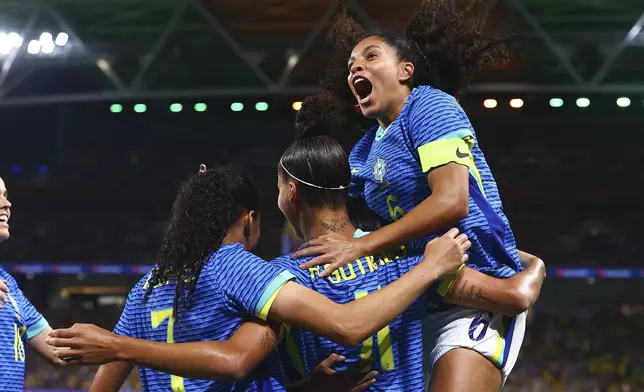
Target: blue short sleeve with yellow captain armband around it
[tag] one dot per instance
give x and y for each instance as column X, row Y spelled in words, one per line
column 439, row 129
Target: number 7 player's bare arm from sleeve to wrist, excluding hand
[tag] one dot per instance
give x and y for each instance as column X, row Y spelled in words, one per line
column 351, row 323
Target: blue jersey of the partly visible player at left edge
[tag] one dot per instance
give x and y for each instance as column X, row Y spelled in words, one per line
column 19, row 322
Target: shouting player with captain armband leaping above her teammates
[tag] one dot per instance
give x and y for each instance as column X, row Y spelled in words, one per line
column 422, row 171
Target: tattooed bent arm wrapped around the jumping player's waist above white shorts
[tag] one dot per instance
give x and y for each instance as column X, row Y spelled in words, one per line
column 511, row 296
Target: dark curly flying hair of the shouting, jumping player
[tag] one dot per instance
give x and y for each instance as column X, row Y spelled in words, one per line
column 443, row 40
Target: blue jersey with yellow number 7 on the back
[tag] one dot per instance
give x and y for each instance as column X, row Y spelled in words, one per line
column 233, row 286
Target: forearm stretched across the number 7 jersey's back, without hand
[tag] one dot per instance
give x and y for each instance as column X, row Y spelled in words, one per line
column 215, row 360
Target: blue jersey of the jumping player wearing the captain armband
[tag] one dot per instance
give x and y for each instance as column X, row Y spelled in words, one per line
column 389, row 170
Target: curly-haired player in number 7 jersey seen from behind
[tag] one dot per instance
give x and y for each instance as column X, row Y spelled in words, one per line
column 206, row 284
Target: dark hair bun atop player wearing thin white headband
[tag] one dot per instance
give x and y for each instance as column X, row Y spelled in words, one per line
column 320, row 115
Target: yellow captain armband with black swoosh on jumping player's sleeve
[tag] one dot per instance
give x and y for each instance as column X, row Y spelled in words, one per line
column 444, row 151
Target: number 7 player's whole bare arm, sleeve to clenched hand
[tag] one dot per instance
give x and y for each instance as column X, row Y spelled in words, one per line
column 352, row 323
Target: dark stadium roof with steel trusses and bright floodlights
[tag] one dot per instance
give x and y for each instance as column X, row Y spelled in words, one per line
column 142, row 49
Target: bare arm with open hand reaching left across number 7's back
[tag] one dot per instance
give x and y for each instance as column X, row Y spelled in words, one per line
column 231, row 359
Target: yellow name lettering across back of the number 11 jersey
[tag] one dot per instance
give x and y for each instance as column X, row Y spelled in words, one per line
column 361, row 266
